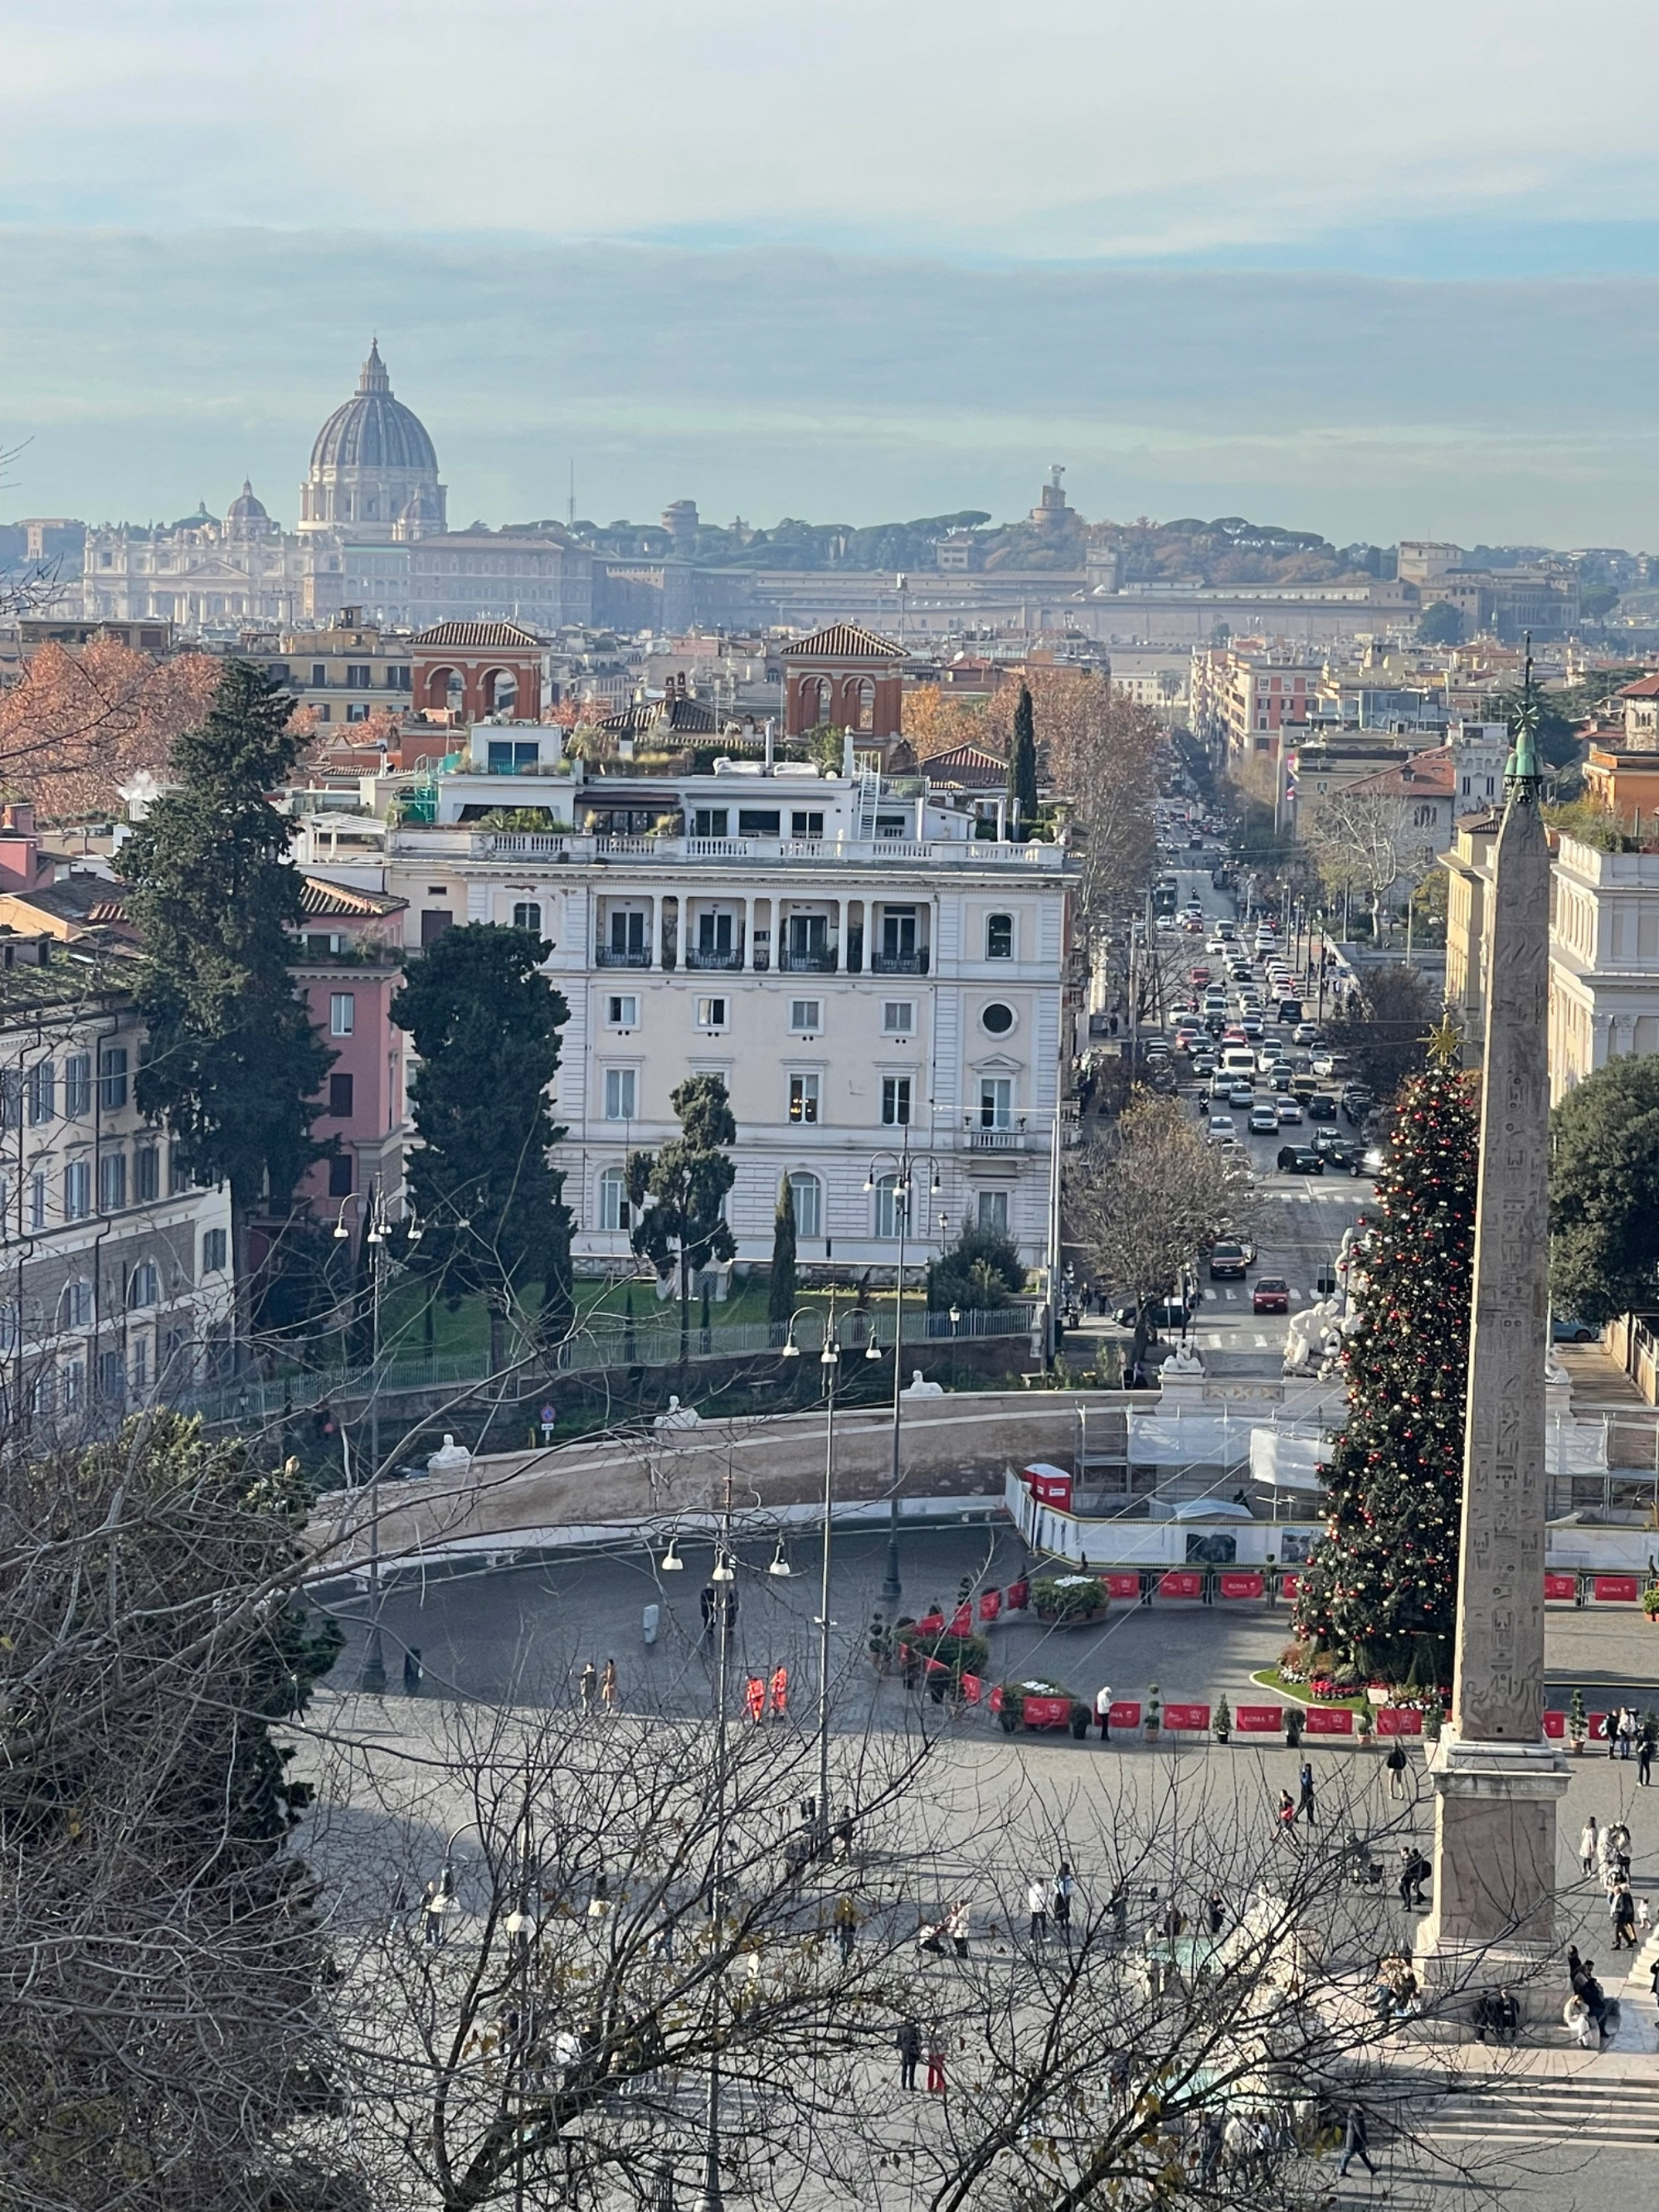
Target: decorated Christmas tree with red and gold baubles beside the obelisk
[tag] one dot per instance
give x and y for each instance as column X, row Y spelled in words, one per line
column 1381, row 1587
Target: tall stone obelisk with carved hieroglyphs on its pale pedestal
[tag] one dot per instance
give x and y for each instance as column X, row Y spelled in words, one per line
column 1494, row 1773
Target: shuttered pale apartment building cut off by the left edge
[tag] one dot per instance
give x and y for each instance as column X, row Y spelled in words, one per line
column 116, row 1273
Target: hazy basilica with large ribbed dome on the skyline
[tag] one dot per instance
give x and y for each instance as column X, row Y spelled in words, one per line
column 373, row 534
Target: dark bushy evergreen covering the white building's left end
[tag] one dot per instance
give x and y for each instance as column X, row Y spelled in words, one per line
column 486, row 1025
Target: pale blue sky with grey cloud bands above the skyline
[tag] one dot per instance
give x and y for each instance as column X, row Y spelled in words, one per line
column 1368, row 273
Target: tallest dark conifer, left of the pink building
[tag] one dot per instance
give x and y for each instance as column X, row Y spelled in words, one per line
column 233, row 1065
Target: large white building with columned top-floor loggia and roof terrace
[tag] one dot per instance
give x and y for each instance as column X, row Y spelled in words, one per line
column 855, row 959
